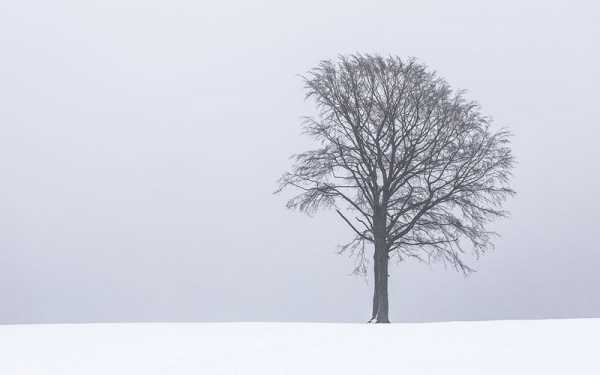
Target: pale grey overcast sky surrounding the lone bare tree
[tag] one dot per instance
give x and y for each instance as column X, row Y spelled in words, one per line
column 140, row 142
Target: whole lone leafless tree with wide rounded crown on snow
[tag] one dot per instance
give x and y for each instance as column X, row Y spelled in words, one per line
column 410, row 165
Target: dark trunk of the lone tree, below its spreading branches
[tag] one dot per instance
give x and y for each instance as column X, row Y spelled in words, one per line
column 380, row 267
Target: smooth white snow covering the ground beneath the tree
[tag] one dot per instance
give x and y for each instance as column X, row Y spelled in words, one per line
column 483, row 348
